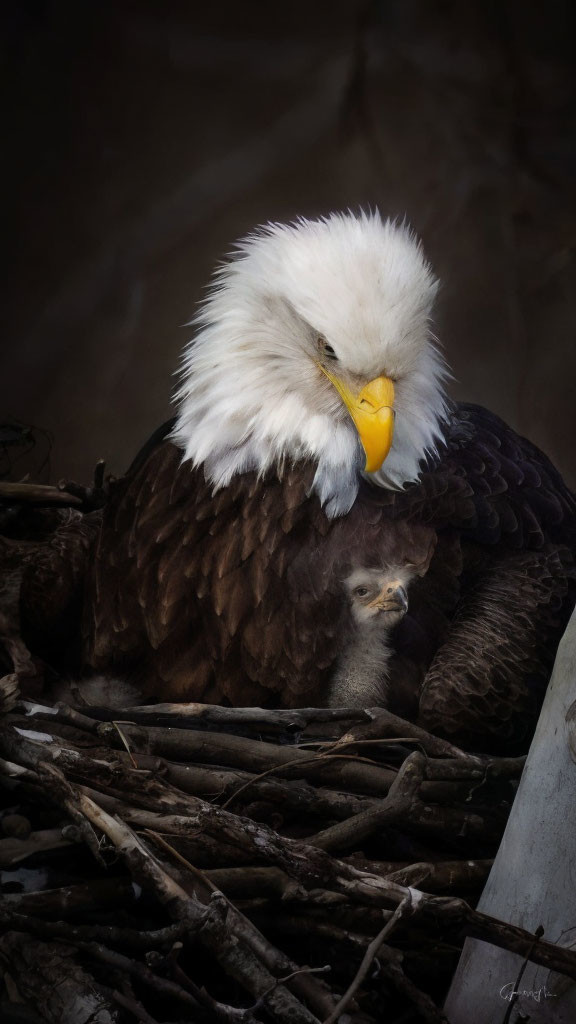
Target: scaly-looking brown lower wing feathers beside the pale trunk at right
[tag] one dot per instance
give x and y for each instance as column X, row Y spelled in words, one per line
column 485, row 685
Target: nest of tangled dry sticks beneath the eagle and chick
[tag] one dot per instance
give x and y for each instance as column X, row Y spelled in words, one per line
column 202, row 864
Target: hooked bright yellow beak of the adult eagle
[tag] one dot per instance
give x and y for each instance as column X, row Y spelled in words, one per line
column 373, row 412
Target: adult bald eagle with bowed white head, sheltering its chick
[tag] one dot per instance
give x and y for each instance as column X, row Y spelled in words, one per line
column 314, row 436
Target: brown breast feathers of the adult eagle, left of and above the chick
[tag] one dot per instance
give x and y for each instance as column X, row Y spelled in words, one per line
column 240, row 590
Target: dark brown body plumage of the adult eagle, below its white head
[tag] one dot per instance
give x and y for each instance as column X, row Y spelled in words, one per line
column 237, row 598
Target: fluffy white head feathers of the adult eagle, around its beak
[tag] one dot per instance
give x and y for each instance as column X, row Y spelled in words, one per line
column 253, row 396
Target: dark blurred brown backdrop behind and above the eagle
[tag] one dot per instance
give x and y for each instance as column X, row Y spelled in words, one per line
column 144, row 138
